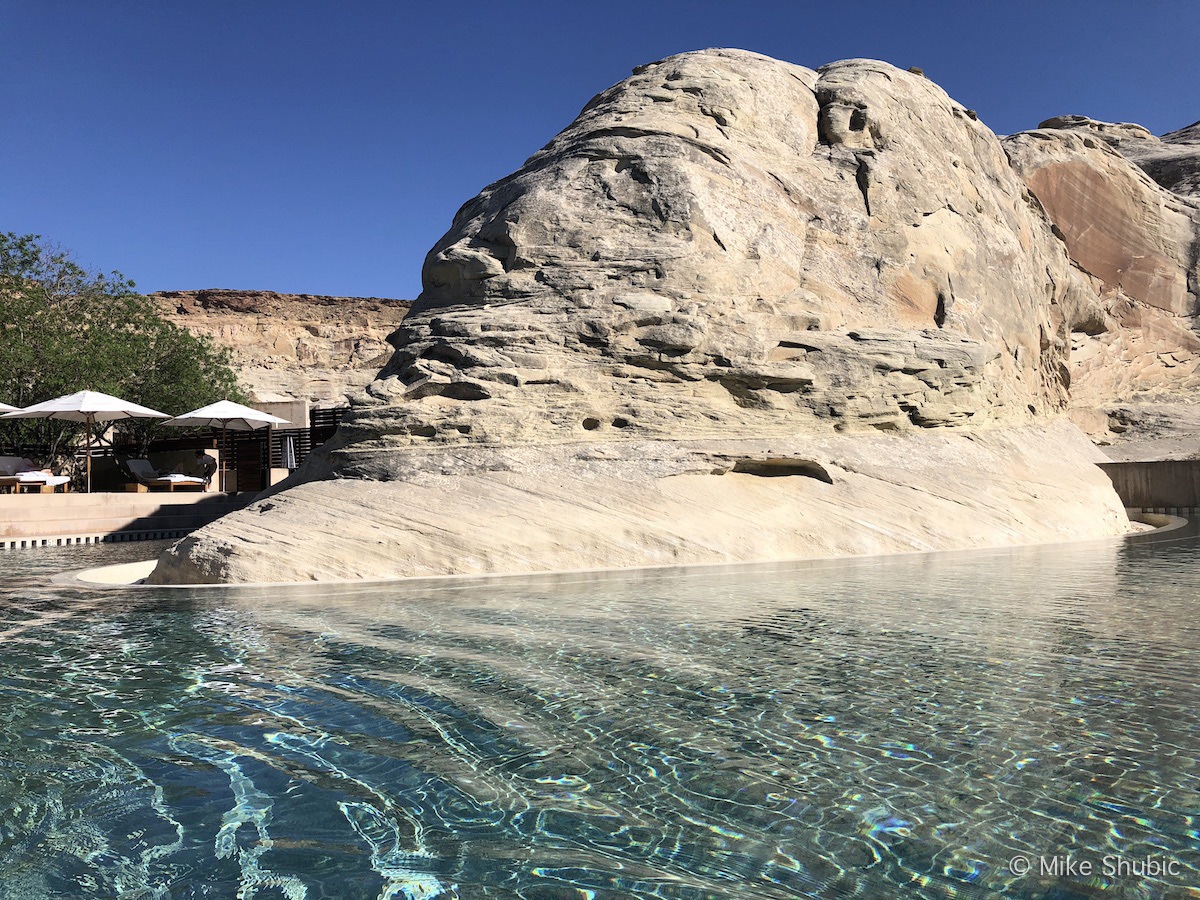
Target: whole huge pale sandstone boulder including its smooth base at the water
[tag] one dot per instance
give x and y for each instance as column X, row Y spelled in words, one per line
column 739, row 310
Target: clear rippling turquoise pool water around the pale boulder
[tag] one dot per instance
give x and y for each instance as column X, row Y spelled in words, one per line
column 874, row 729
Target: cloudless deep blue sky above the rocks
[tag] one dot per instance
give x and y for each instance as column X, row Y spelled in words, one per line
column 323, row 147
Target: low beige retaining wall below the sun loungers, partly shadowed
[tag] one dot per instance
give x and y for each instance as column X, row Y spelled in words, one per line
column 57, row 520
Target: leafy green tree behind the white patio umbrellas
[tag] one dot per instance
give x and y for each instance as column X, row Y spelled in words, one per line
column 64, row 329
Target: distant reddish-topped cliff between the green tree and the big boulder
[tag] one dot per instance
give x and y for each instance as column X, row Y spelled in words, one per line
column 303, row 346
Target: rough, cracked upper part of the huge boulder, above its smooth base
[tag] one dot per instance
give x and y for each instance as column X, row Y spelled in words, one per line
column 742, row 247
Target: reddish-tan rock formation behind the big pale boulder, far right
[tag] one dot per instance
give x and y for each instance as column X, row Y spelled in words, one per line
column 1138, row 244
